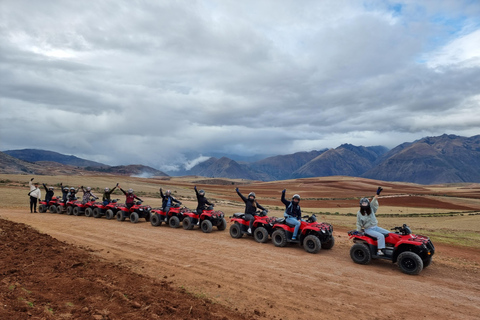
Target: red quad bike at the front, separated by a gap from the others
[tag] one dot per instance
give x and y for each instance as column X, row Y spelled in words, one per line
column 411, row 252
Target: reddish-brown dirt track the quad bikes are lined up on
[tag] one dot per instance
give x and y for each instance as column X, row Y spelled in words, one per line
column 280, row 283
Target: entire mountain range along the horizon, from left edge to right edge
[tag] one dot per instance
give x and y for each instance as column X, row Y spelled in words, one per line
column 431, row 160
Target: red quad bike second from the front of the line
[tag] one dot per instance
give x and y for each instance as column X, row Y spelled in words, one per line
column 312, row 235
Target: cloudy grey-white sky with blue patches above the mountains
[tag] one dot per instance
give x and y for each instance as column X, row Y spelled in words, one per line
column 162, row 82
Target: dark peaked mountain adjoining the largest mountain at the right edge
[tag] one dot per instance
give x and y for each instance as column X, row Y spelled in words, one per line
column 346, row 160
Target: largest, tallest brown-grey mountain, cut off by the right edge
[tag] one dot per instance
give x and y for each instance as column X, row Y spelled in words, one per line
column 447, row 158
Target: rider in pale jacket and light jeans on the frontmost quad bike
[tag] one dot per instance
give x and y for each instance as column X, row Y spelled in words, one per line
column 367, row 221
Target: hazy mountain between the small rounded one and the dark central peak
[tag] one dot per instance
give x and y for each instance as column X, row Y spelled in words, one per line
column 281, row 167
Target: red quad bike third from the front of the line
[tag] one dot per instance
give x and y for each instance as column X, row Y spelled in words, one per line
column 262, row 226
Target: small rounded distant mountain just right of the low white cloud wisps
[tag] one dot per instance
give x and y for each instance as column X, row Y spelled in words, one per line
column 225, row 168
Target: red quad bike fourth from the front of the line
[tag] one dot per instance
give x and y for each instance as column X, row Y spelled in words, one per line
column 207, row 220
